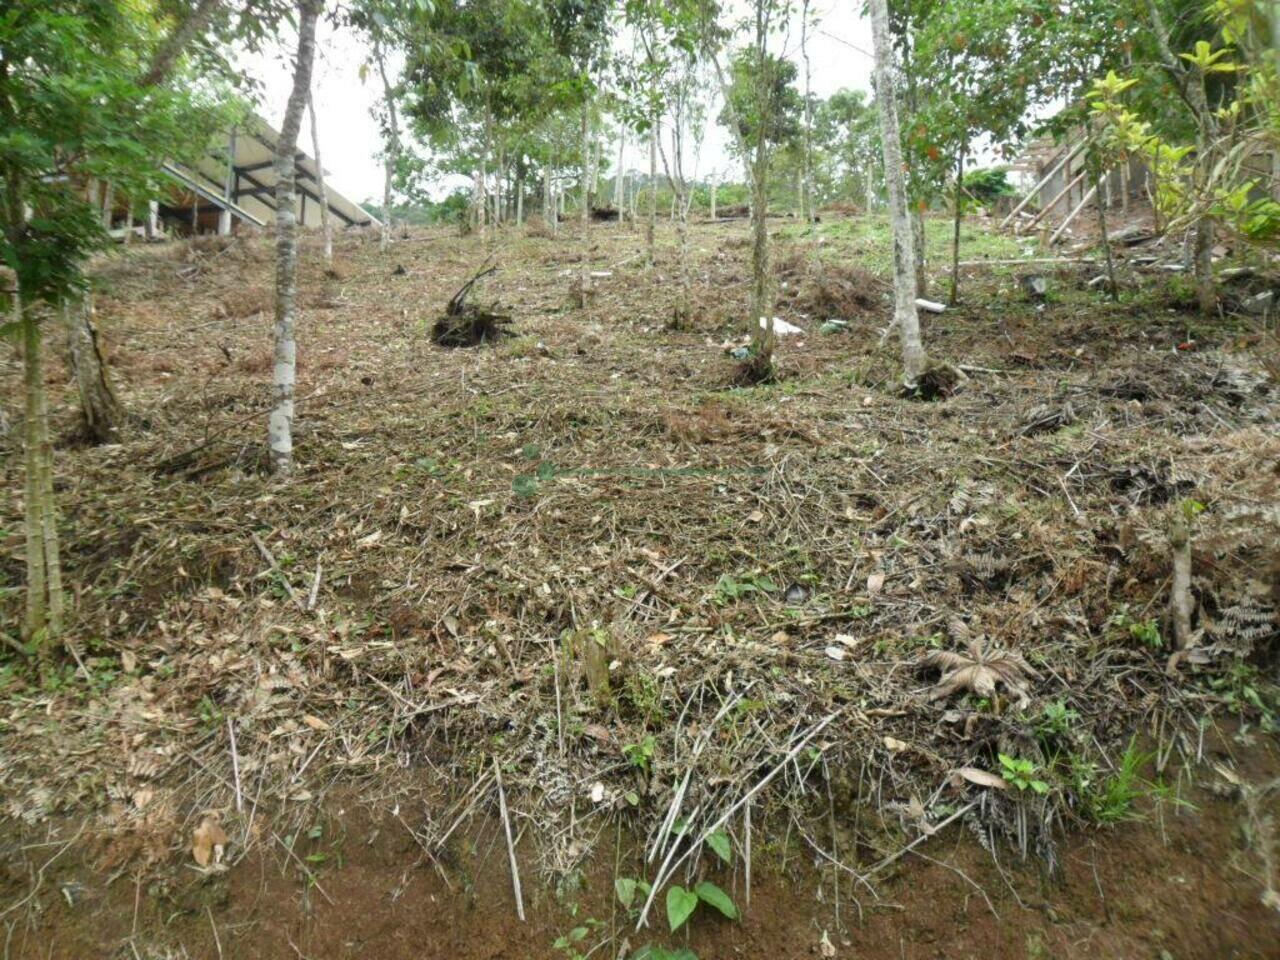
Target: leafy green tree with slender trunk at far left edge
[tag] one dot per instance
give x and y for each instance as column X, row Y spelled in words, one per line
column 86, row 93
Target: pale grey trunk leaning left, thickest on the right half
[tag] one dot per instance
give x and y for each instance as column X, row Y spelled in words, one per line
column 904, row 248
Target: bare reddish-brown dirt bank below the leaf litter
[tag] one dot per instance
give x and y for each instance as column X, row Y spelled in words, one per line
column 1180, row 884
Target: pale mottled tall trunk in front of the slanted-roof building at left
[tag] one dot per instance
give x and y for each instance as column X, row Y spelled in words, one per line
column 281, row 423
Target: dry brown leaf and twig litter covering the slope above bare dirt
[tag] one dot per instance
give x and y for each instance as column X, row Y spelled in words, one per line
column 565, row 625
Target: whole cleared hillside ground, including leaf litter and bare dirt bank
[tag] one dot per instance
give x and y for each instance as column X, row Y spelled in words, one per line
column 584, row 555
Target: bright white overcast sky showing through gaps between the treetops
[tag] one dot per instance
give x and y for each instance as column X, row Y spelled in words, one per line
column 346, row 107
